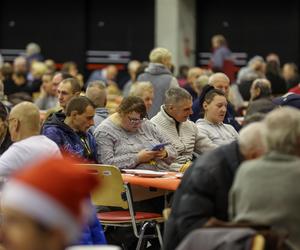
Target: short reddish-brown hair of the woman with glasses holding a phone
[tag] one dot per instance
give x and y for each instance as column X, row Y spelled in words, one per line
column 132, row 104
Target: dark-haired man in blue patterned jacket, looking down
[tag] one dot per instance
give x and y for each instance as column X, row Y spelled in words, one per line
column 70, row 130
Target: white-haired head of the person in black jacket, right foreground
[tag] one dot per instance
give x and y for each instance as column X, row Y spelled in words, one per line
column 251, row 139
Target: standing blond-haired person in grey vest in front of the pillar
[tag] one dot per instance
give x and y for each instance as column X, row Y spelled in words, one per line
column 159, row 74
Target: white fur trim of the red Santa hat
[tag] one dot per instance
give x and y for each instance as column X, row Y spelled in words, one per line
column 41, row 207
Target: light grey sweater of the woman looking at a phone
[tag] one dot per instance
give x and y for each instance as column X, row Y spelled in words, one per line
column 119, row 147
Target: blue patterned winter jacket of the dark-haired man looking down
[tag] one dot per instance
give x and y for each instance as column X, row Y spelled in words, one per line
column 65, row 137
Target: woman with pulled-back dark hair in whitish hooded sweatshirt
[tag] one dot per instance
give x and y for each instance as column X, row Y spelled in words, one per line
column 215, row 107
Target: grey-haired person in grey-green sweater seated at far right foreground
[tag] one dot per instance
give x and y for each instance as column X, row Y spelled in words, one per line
column 267, row 190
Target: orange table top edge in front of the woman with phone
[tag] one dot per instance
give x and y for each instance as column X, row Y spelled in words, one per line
column 167, row 182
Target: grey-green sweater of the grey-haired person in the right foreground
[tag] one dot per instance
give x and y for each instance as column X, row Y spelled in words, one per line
column 267, row 191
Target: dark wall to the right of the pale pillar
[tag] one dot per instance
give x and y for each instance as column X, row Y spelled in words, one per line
column 254, row 27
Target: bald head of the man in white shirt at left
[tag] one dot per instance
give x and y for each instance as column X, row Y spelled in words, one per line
column 28, row 114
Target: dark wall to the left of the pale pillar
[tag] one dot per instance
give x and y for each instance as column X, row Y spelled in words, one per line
column 65, row 30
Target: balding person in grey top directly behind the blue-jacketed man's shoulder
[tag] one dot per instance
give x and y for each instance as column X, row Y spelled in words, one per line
column 96, row 92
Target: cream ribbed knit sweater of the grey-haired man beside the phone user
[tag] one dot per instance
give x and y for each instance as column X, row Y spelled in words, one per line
column 186, row 141
